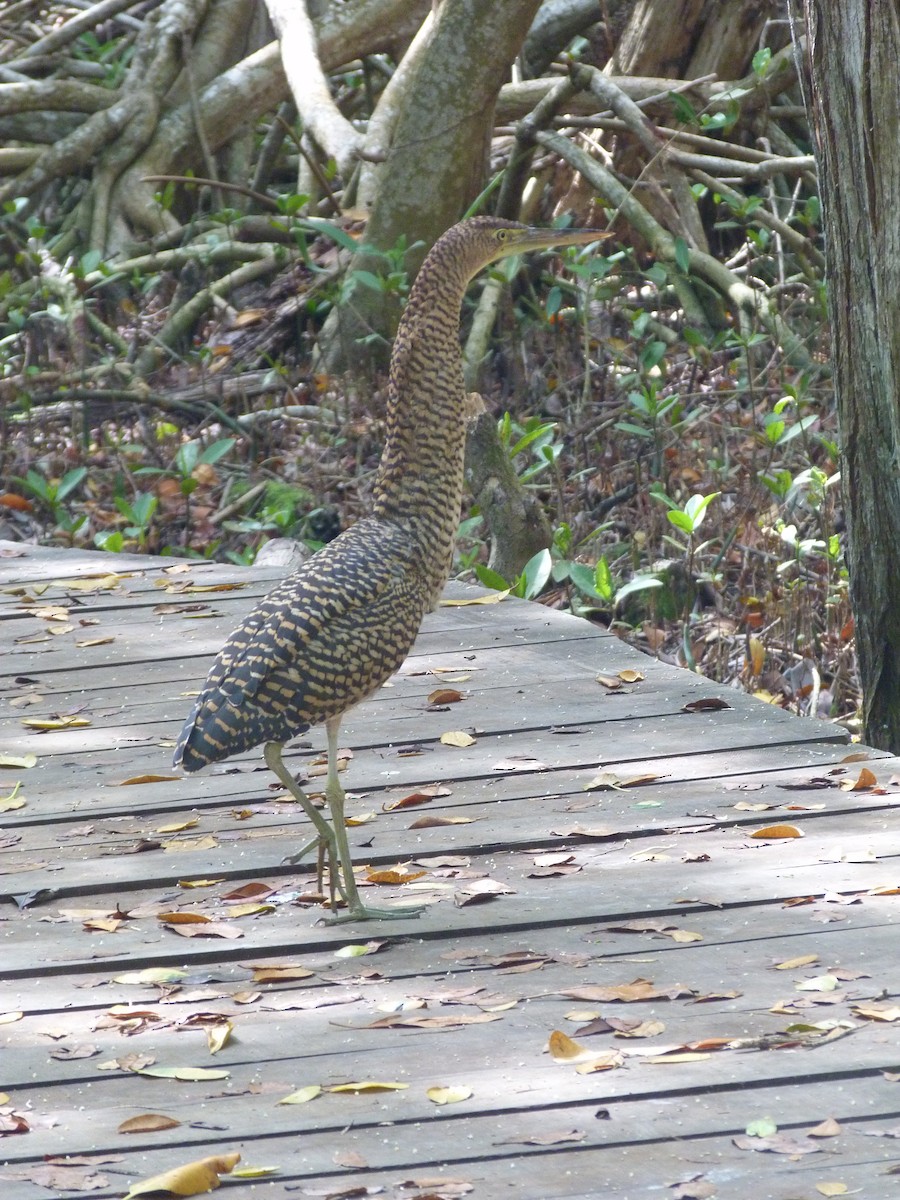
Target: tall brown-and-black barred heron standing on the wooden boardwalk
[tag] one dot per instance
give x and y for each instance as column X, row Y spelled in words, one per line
column 344, row 622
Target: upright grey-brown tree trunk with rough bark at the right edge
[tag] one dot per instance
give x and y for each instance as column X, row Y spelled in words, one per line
column 855, row 47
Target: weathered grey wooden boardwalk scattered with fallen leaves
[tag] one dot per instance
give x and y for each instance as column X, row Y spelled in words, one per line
column 591, row 891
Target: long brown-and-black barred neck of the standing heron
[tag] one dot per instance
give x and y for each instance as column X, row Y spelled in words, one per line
column 421, row 478
